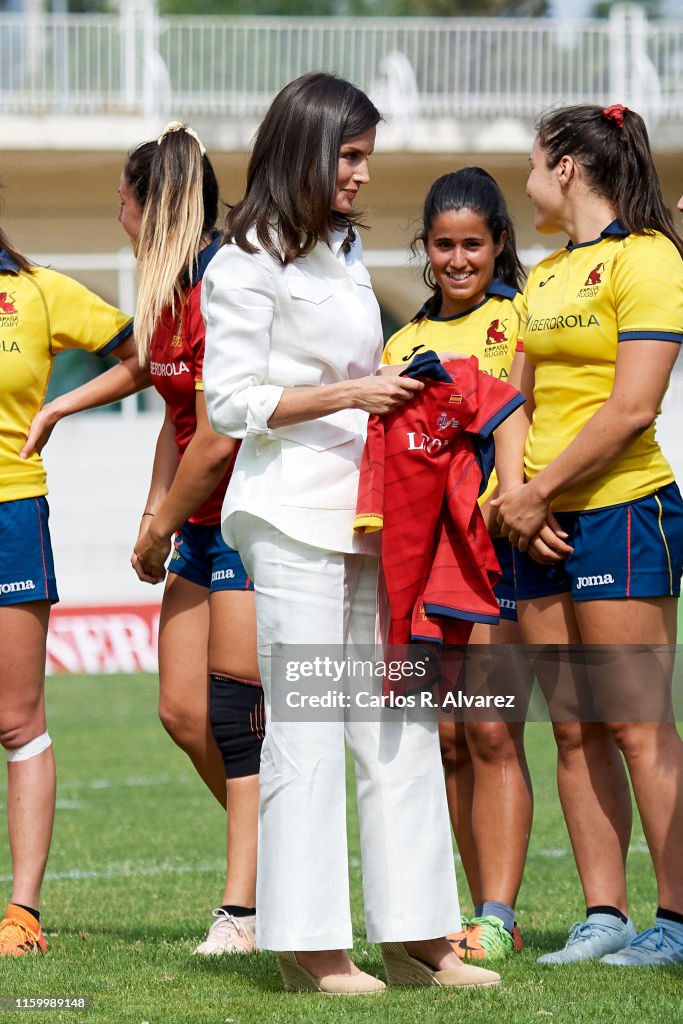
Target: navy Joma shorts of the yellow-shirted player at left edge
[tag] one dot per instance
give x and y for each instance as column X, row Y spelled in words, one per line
column 27, row 568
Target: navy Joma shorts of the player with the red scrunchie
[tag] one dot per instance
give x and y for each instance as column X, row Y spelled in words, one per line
column 630, row 550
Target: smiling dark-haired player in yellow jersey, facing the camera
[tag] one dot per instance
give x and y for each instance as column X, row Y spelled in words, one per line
column 476, row 276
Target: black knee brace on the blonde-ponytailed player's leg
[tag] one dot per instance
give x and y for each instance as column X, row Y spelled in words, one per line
column 238, row 722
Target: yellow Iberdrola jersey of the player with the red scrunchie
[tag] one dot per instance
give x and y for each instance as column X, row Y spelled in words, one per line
column 580, row 304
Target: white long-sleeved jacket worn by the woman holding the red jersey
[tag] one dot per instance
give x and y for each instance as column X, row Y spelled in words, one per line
column 269, row 328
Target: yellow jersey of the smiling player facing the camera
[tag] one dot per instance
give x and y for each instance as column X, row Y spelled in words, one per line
column 490, row 331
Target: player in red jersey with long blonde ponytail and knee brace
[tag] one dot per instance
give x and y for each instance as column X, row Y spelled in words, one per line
column 210, row 697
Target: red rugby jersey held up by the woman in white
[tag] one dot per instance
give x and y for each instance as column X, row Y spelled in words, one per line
column 420, row 481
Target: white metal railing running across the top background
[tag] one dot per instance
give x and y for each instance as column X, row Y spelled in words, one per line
column 232, row 67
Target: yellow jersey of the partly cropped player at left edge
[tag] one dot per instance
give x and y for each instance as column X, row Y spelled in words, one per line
column 41, row 314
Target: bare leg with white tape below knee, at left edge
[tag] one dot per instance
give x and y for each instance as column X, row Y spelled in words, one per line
column 31, row 785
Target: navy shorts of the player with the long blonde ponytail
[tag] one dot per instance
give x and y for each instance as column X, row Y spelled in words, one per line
column 201, row 556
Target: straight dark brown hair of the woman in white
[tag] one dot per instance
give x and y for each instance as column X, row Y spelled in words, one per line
column 292, row 174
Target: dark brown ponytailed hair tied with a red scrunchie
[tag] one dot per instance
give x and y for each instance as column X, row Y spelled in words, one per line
column 616, row 156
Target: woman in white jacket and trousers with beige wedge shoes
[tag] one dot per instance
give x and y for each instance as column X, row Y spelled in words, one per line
column 293, row 344
